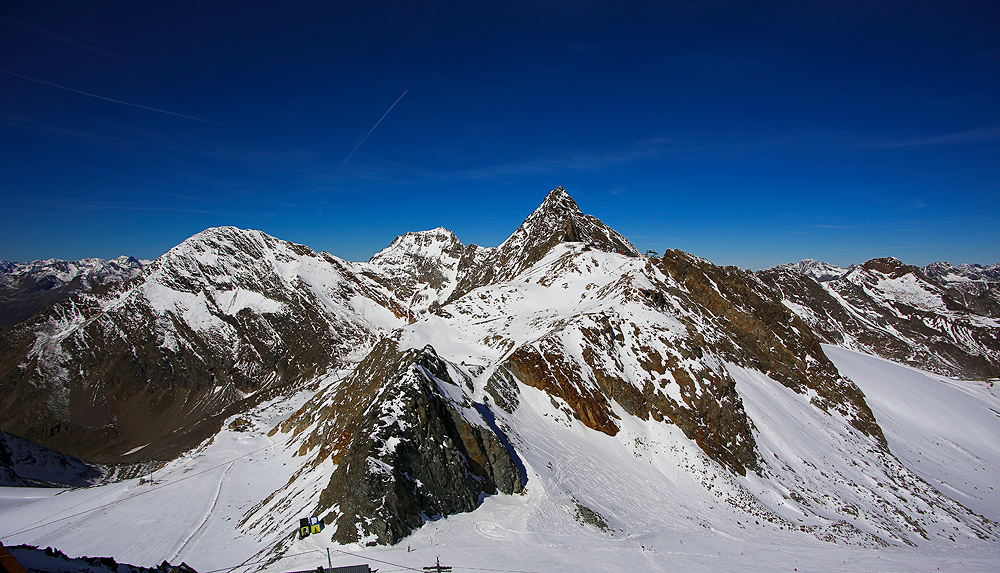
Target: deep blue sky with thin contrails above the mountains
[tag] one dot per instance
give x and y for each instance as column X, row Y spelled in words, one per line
column 749, row 133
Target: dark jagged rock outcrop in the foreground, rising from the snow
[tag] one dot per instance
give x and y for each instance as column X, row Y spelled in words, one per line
column 408, row 442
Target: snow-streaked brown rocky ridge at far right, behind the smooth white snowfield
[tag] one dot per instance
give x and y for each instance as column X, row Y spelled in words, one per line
column 890, row 309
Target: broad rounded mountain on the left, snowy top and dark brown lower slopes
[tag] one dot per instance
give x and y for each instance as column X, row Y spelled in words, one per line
column 155, row 363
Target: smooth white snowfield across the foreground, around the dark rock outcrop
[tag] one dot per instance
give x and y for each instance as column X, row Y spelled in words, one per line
column 645, row 499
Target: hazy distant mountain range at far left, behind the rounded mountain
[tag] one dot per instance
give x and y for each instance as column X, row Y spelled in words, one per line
column 30, row 287
